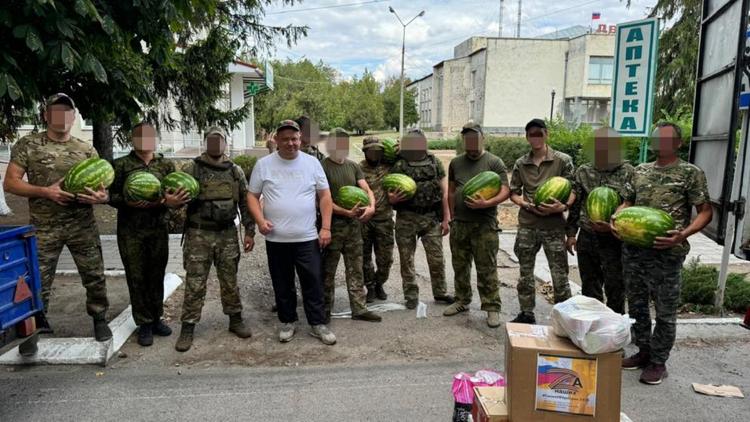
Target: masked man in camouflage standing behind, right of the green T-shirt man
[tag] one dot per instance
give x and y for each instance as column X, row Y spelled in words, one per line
column 377, row 234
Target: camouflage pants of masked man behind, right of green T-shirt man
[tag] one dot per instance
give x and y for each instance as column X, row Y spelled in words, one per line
column 377, row 236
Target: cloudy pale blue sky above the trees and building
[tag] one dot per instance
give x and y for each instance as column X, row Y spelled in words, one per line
column 354, row 35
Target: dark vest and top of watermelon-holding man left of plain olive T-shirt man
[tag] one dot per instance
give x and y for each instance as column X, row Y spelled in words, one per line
column 428, row 174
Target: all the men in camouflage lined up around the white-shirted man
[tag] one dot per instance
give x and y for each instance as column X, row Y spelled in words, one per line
column 610, row 270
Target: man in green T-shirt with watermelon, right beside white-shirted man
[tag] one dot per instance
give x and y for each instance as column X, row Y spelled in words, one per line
column 346, row 229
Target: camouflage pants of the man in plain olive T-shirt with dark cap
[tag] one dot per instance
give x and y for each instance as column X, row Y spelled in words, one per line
column 477, row 242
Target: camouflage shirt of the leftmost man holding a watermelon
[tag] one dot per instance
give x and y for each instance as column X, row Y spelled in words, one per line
column 45, row 162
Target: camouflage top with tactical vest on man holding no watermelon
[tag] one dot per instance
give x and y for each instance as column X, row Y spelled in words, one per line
column 223, row 190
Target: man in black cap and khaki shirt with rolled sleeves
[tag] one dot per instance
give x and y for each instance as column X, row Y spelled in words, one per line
column 543, row 225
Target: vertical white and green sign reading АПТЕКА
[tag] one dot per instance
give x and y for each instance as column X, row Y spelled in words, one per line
column 636, row 53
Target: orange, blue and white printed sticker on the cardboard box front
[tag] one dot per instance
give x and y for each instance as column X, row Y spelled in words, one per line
column 566, row 384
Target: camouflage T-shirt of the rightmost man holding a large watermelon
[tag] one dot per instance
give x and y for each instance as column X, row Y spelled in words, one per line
column 675, row 188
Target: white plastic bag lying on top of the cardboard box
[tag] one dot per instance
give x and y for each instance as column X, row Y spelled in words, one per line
column 591, row 325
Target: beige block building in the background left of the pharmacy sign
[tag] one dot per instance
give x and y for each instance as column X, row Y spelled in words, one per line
column 502, row 83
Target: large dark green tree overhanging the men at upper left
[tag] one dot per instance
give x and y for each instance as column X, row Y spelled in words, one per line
column 121, row 60
